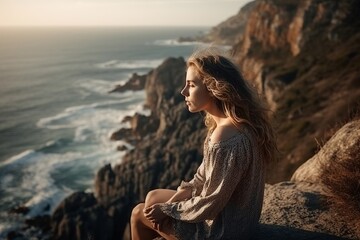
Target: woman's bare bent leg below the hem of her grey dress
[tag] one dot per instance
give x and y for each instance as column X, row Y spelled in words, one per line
column 141, row 227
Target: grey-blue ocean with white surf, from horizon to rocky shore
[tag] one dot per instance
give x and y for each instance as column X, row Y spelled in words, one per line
column 56, row 115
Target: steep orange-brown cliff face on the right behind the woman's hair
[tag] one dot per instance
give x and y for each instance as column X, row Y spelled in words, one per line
column 304, row 57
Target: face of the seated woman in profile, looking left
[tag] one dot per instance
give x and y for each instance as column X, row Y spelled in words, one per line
column 197, row 97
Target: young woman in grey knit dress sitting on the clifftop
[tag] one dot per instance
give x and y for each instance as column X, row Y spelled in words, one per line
column 224, row 199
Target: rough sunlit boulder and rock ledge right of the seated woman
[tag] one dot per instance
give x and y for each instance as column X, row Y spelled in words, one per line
column 317, row 204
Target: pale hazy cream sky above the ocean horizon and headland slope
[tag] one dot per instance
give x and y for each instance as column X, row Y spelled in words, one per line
column 117, row 12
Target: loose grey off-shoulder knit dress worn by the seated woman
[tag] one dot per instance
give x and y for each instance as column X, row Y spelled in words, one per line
column 227, row 192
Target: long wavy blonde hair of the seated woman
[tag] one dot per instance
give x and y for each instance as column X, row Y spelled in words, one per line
column 234, row 96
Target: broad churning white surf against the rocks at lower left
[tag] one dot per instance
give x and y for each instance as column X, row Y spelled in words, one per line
column 89, row 149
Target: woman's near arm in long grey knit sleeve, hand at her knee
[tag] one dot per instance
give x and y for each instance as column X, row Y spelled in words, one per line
column 230, row 164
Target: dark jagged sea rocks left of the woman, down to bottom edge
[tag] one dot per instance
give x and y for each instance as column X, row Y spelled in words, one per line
column 166, row 150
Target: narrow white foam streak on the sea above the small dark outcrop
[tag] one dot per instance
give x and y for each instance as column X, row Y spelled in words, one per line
column 130, row 64
